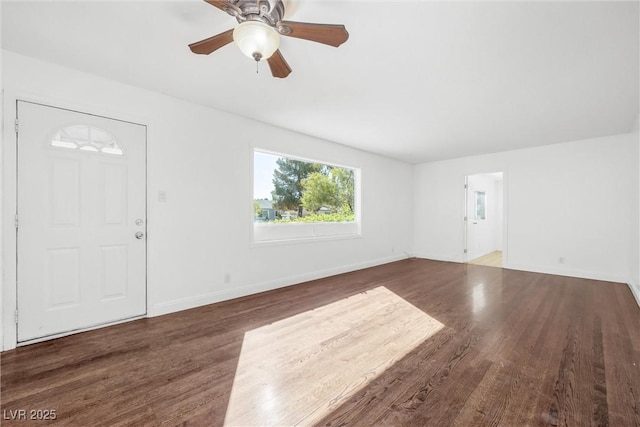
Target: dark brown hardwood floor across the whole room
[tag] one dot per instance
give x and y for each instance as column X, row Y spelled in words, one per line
column 514, row 349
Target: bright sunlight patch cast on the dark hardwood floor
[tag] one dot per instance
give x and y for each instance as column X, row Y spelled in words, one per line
column 299, row 369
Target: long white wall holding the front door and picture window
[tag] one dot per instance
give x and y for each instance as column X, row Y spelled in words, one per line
column 202, row 159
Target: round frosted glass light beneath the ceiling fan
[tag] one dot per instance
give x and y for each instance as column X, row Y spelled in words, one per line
column 256, row 39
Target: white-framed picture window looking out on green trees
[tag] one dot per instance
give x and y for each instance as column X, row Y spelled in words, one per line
column 302, row 199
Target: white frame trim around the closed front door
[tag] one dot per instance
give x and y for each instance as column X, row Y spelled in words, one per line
column 9, row 284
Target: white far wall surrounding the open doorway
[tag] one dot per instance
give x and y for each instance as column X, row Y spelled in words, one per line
column 574, row 200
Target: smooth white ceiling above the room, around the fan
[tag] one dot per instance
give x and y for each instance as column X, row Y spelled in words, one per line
column 416, row 81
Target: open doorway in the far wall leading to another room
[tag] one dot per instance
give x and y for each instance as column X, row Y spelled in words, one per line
column 484, row 219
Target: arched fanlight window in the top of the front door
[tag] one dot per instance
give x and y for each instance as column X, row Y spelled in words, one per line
column 86, row 138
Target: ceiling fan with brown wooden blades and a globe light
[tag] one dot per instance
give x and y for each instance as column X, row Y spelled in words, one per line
column 258, row 35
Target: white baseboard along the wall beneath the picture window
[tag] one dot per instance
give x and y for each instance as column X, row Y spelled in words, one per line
column 227, row 294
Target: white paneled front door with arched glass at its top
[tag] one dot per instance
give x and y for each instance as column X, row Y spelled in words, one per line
column 81, row 221
